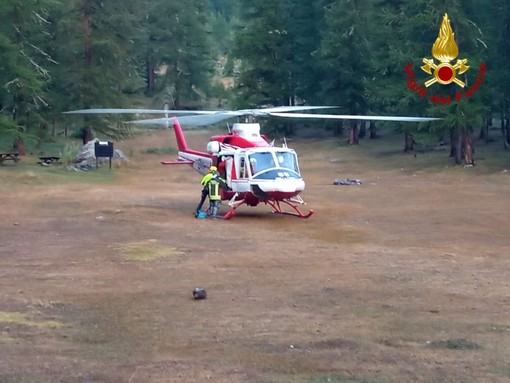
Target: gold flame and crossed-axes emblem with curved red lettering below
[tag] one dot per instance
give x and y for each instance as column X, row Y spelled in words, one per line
column 445, row 50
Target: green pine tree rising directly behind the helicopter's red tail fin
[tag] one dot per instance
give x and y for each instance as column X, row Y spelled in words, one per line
column 179, row 43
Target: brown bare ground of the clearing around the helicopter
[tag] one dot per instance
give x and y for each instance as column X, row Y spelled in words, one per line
column 404, row 278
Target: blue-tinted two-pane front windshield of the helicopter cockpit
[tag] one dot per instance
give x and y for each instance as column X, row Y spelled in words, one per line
column 263, row 163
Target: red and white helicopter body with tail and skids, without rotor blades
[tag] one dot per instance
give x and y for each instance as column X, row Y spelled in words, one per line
column 254, row 170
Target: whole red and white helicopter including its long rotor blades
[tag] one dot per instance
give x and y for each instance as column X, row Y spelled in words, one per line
column 255, row 170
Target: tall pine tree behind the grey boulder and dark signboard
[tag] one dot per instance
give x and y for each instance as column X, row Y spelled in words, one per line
column 94, row 45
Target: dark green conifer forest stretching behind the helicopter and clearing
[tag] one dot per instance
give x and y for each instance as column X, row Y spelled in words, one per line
column 57, row 56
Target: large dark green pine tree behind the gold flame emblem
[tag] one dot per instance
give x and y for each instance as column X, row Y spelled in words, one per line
column 411, row 28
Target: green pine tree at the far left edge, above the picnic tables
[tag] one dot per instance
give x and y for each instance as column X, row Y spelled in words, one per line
column 24, row 68
